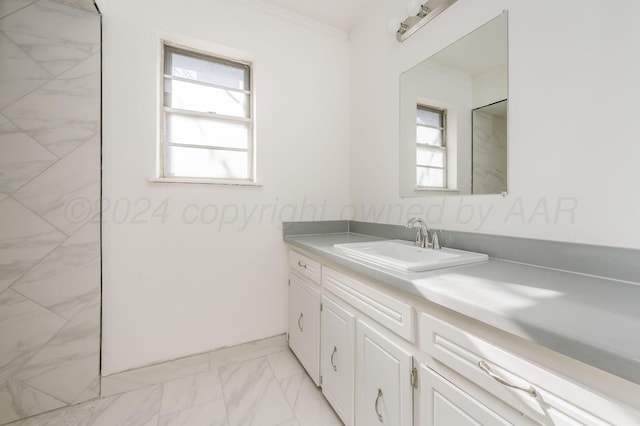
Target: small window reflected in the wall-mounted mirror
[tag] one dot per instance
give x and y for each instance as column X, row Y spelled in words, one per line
column 431, row 149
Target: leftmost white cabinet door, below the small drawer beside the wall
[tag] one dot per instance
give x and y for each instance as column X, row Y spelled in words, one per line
column 304, row 324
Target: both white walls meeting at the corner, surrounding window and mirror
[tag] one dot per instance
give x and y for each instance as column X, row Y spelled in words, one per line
column 176, row 285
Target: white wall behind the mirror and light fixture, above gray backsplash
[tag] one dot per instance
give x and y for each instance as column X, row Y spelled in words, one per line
column 573, row 91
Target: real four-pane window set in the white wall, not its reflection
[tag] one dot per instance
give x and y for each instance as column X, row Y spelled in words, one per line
column 207, row 117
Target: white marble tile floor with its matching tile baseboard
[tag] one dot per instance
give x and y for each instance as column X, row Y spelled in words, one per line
column 259, row 384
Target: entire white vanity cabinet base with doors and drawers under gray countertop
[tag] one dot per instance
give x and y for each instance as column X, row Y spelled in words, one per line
column 362, row 340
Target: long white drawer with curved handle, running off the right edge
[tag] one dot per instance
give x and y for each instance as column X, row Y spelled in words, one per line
column 538, row 393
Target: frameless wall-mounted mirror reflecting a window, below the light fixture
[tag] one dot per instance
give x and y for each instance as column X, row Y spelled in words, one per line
column 453, row 117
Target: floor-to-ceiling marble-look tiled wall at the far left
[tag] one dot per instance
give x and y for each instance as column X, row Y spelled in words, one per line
column 49, row 205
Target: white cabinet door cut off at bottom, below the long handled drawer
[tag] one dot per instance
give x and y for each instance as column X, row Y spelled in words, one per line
column 443, row 404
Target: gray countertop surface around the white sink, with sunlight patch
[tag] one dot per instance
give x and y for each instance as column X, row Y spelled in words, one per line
column 591, row 319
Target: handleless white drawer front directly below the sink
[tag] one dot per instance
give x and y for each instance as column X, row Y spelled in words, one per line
column 397, row 316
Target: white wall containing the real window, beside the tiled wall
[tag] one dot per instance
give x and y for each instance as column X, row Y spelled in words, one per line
column 172, row 287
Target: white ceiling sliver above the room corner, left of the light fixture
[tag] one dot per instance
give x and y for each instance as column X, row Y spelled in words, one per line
column 340, row 14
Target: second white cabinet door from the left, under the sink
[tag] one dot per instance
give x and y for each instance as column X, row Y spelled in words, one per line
column 337, row 358
